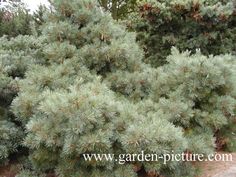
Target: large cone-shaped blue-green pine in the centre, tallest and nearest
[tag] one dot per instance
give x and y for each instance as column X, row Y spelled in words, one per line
column 68, row 103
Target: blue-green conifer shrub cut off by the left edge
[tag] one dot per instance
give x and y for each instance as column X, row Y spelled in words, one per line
column 16, row 55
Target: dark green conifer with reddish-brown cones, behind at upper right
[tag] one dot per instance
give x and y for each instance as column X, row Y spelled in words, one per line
column 205, row 24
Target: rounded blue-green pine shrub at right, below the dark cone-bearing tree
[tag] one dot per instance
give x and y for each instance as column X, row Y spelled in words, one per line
column 198, row 94
